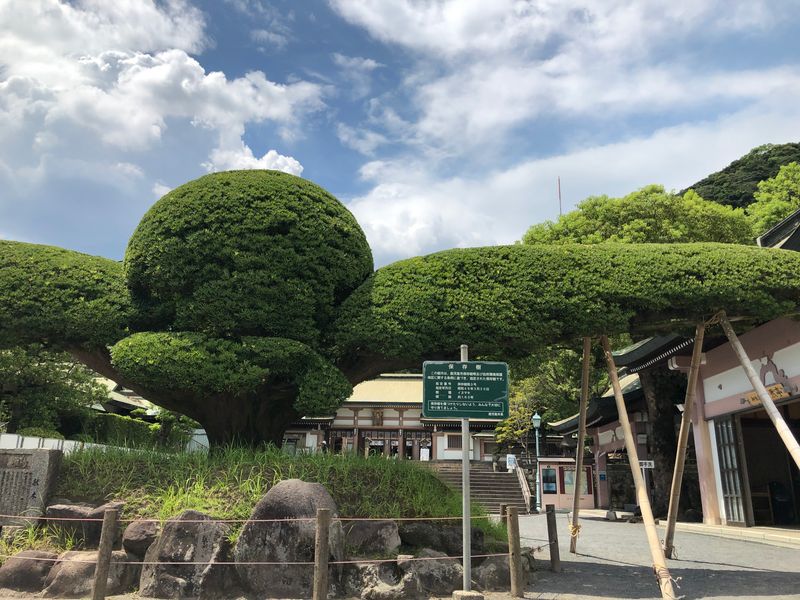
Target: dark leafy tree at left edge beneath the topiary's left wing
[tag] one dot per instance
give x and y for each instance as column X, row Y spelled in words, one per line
column 45, row 390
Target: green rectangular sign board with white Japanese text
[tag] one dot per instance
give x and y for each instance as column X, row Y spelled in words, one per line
column 475, row 390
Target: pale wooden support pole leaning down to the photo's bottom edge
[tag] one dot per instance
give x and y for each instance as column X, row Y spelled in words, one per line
column 656, row 552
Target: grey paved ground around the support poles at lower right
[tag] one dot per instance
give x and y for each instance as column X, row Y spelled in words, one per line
column 614, row 562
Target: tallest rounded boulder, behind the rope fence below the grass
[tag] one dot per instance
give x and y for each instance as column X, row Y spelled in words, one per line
column 273, row 535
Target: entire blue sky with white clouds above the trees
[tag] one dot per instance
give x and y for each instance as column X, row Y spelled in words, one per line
column 439, row 124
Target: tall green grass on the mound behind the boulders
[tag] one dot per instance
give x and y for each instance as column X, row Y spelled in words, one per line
column 227, row 484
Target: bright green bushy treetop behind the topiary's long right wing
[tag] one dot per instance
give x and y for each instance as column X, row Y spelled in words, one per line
column 648, row 215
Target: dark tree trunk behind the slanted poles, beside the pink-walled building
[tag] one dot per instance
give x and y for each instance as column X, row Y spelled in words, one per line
column 663, row 389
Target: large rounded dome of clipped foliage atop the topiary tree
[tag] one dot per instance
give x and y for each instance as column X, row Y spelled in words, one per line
column 257, row 253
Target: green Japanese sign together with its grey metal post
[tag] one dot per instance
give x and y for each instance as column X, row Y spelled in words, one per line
column 467, row 390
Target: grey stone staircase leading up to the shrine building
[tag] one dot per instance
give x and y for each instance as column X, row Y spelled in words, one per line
column 486, row 487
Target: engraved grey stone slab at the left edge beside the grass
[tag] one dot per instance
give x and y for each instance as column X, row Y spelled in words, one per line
column 26, row 478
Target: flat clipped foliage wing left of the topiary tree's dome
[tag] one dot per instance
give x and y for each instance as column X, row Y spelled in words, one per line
column 60, row 297
